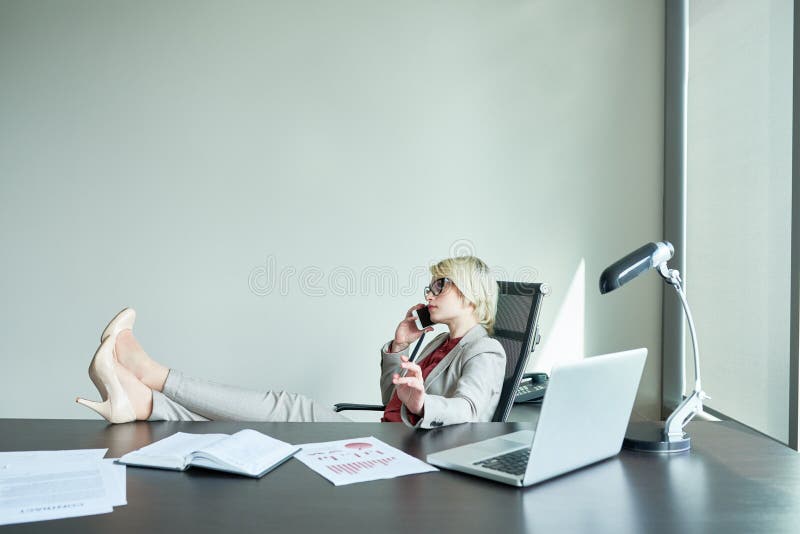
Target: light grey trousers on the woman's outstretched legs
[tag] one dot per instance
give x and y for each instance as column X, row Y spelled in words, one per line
column 190, row 399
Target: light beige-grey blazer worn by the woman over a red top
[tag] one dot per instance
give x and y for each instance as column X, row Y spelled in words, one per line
column 464, row 387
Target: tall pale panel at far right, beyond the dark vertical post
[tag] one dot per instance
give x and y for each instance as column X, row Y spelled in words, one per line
column 739, row 206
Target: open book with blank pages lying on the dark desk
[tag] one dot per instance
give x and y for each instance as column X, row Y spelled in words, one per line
column 247, row 452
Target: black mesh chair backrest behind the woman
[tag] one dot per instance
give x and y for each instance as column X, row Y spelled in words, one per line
column 516, row 327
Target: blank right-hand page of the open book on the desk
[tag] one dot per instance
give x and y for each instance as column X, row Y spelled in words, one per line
column 247, row 451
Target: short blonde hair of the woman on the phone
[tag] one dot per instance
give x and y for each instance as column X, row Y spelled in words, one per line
column 477, row 285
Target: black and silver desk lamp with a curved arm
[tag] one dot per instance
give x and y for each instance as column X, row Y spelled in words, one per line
column 655, row 436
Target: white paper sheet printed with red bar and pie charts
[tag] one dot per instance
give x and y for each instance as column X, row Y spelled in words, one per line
column 359, row 460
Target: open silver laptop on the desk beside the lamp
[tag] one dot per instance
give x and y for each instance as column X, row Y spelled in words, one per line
column 583, row 420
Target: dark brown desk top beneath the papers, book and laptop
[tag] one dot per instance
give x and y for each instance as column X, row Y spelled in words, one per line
column 733, row 480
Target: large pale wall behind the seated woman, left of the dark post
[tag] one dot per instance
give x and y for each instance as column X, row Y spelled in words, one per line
column 161, row 154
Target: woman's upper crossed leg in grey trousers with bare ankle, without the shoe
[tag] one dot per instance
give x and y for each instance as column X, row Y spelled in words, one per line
column 201, row 398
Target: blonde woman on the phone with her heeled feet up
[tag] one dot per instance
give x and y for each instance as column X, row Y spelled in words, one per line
column 458, row 378
